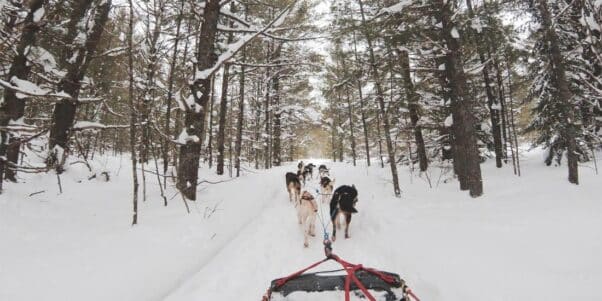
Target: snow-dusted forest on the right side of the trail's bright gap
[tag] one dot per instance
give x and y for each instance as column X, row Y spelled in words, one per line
column 427, row 83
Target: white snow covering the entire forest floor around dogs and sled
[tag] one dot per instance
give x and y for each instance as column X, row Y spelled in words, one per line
column 530, row 238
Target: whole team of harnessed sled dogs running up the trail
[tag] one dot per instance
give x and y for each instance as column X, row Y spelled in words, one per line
column 342, row 200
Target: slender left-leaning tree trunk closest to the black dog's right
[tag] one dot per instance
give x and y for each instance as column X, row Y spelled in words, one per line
column 381, row 101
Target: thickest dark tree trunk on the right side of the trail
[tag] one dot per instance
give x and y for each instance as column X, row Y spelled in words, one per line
column 465, row 146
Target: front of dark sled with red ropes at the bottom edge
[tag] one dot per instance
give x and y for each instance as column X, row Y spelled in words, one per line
column 362, row 282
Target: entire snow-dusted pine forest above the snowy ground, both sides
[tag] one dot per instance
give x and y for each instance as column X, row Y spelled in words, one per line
column 181, row 85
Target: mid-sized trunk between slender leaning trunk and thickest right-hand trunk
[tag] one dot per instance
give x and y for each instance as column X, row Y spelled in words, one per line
column 414, row 109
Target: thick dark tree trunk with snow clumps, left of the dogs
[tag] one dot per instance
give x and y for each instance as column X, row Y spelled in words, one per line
column 194, row 118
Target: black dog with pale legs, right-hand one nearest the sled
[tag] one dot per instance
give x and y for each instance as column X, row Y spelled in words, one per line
column 342, row 203
